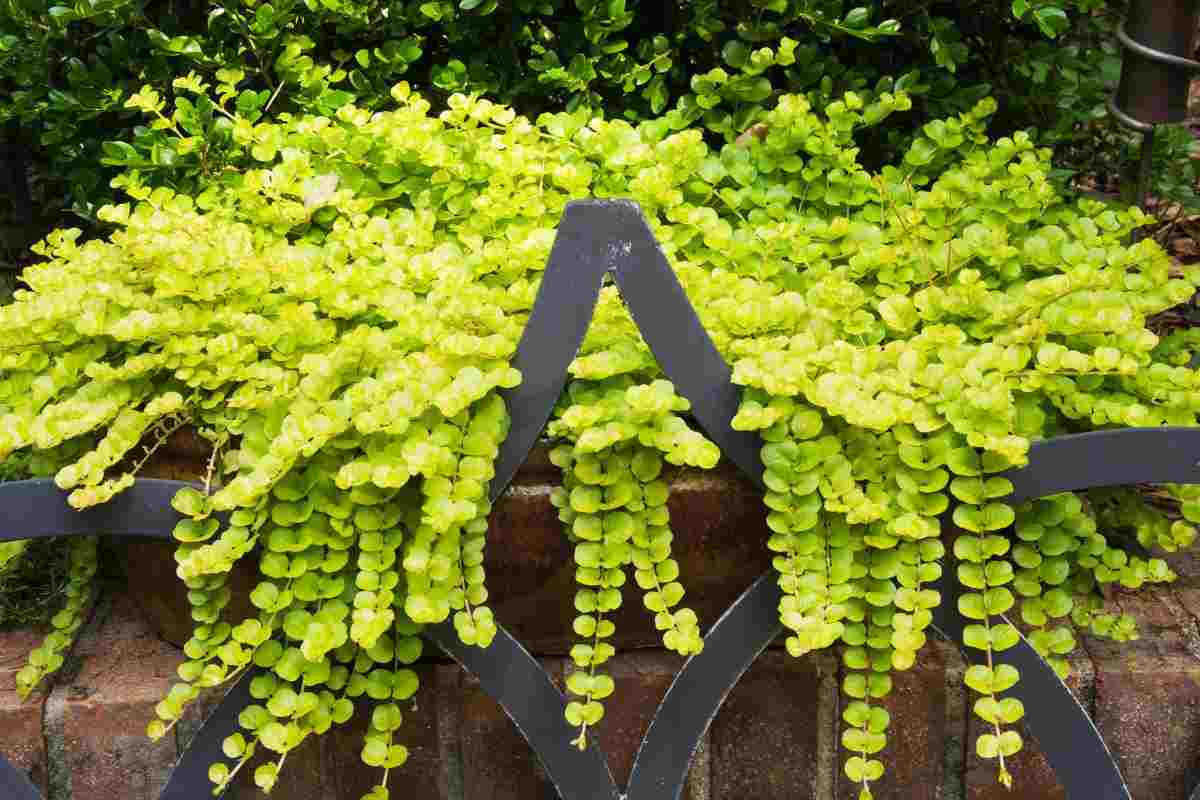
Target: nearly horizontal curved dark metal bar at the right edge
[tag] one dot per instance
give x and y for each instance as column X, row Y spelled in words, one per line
column 1119, row 458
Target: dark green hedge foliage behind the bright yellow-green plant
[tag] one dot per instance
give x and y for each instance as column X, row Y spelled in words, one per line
column 68, row 71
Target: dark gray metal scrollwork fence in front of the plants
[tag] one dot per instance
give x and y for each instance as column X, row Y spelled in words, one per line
column 597, row 238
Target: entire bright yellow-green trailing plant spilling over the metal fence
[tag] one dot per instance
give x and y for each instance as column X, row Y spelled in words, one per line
column 340, row 315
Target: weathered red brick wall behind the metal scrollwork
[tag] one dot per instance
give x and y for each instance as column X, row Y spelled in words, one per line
column 777, row 736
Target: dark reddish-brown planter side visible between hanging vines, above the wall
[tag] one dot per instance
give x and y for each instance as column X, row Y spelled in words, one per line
column 718, row 520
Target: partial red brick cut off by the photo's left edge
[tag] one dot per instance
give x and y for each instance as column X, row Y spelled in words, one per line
column 21, row 723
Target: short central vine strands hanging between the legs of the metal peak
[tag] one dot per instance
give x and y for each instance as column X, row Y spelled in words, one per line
column 614, row 503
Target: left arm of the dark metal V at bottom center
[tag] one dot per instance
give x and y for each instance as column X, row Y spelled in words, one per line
column 514, row 679
